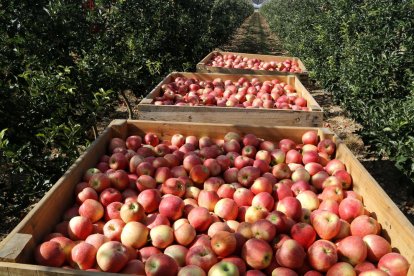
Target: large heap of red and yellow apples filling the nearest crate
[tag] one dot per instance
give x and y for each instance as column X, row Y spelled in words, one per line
column 239, row 205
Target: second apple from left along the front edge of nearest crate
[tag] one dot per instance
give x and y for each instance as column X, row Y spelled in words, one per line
column 83, row 256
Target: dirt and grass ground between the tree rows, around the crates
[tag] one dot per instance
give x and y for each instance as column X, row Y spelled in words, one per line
column 254, row 36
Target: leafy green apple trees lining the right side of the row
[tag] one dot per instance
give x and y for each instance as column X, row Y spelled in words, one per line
column 363, row 52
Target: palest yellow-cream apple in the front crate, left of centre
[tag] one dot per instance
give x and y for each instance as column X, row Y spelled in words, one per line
column 134, row 234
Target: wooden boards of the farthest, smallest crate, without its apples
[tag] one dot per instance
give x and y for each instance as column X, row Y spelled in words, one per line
column 202, row 66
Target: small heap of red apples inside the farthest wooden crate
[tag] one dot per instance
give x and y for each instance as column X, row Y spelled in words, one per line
column 240, row 62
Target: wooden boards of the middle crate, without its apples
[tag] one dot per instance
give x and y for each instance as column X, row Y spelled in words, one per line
column 233, row 115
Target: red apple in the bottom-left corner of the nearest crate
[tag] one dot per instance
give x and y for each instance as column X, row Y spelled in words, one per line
column 50, row 253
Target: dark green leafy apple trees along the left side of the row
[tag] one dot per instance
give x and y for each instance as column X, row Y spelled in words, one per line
column 63, row 64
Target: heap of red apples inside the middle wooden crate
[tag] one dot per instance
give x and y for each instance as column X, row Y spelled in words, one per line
column 241, row 93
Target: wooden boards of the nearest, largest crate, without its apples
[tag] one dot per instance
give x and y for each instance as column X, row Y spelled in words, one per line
column 16, row 250
